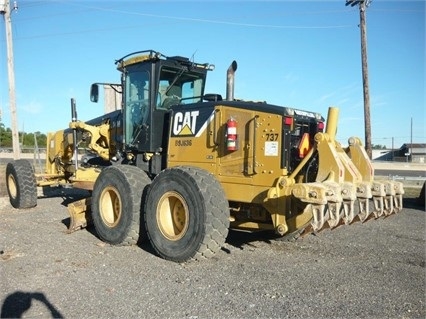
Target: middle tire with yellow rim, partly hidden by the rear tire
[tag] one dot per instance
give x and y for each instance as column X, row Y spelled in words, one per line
column 116, row 204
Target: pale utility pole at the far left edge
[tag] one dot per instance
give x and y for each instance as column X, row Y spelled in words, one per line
column 5, row 10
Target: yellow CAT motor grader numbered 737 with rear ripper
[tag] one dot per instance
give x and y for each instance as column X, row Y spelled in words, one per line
column 182, row 166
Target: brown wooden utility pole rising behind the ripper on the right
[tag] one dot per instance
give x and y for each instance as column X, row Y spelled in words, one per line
column 363, row 4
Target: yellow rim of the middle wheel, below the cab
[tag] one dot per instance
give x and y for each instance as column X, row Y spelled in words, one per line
column 110, row 206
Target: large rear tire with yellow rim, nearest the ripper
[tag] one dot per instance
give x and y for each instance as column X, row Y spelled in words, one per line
column 186, row 214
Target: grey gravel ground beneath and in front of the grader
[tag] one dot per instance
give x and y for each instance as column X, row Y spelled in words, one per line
column 371, row 270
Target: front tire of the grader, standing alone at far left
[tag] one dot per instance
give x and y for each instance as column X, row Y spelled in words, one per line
column 21, row 184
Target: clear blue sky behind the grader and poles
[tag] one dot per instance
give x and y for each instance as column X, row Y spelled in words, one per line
column 302, row 54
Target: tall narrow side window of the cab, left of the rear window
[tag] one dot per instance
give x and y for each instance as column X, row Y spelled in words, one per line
column 137, row 103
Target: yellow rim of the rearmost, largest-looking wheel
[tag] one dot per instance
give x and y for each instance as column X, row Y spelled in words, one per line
column 172, row 216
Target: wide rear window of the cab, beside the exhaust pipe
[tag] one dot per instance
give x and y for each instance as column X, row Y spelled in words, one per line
column 179, row 86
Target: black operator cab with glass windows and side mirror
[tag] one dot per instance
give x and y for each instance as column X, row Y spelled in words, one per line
column 152, row 83
